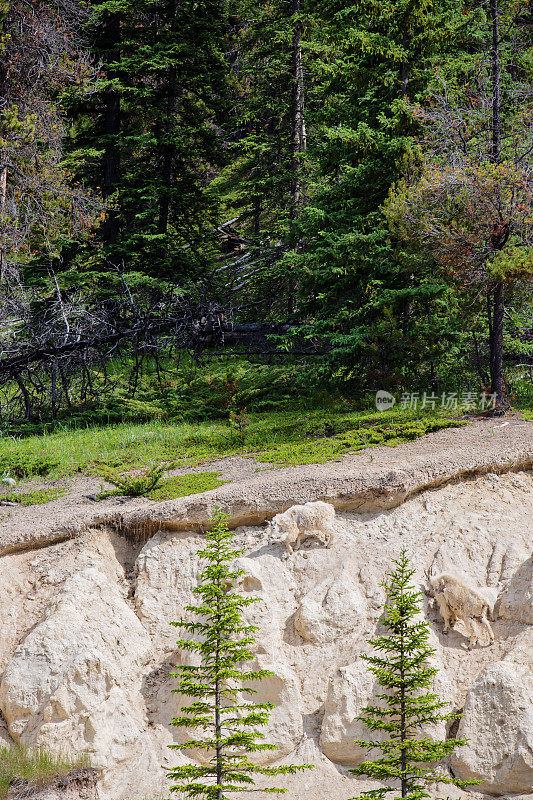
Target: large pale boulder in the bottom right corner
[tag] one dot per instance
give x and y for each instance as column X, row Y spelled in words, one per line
column 498, row 723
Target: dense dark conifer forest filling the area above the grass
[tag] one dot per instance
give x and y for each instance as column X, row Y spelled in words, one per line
column 334, row 196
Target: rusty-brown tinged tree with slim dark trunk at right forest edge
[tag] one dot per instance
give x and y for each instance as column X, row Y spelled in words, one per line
column 468, row 207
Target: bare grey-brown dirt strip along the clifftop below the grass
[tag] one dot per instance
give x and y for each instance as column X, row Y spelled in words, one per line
column 71, row 501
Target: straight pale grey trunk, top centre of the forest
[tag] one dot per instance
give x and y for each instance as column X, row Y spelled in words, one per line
column 299, row 135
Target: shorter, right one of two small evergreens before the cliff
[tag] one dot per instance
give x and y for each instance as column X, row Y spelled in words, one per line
column 407, row 703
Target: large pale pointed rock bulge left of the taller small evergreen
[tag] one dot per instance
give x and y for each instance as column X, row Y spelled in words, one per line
column 73, row 683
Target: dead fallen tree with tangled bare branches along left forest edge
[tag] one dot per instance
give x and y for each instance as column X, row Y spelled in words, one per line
column 60, row 359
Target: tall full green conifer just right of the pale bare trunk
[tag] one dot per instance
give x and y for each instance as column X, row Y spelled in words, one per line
column 388, row 317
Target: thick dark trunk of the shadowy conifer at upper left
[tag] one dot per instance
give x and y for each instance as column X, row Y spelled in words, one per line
column 111, row 121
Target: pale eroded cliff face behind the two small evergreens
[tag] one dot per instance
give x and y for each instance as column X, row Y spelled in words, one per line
column 86, row 644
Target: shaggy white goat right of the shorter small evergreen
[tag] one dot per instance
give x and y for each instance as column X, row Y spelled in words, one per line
column 456, row 601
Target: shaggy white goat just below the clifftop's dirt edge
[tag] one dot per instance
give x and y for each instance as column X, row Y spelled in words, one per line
column 299, row 522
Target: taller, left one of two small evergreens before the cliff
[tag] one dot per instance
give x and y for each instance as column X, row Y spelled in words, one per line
column 229, row 726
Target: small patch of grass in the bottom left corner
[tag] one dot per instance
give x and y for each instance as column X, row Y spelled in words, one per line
column 39, row 766
